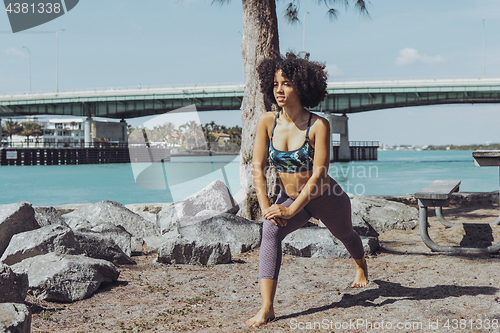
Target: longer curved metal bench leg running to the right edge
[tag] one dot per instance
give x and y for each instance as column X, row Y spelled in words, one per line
column 423, row 225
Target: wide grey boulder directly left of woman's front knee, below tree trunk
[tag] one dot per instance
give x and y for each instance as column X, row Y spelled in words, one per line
column 239, row 233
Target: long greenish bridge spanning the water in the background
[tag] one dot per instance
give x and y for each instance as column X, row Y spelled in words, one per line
column 343, row 98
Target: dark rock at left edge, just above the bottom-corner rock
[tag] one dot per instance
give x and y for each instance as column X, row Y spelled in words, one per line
column 13, row 286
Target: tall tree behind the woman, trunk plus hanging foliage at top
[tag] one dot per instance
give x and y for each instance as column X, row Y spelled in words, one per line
column 260, row 40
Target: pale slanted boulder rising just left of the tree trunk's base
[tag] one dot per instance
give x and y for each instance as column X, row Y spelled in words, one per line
column 213, row 200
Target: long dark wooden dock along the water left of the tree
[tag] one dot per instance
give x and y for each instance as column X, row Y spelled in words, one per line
column 94, row 155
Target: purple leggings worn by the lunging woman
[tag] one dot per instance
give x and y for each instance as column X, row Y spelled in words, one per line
column 333, row 208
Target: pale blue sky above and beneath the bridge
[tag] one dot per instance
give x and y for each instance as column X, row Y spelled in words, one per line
column 117, row 43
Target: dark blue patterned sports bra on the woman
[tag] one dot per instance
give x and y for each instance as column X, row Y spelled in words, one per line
column 292, row 160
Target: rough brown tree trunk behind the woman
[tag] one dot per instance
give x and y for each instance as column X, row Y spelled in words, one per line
column 260, row 40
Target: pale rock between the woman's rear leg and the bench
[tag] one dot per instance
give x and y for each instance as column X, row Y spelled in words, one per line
column 383, row 214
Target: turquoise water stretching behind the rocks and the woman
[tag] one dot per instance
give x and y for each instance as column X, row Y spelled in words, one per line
column 396, row 172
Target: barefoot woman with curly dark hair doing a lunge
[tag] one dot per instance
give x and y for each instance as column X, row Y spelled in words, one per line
column 297, row 143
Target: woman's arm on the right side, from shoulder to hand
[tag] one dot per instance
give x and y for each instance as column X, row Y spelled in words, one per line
column 315, row 184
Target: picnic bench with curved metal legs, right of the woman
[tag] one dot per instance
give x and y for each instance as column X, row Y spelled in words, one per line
column 438, row 195
